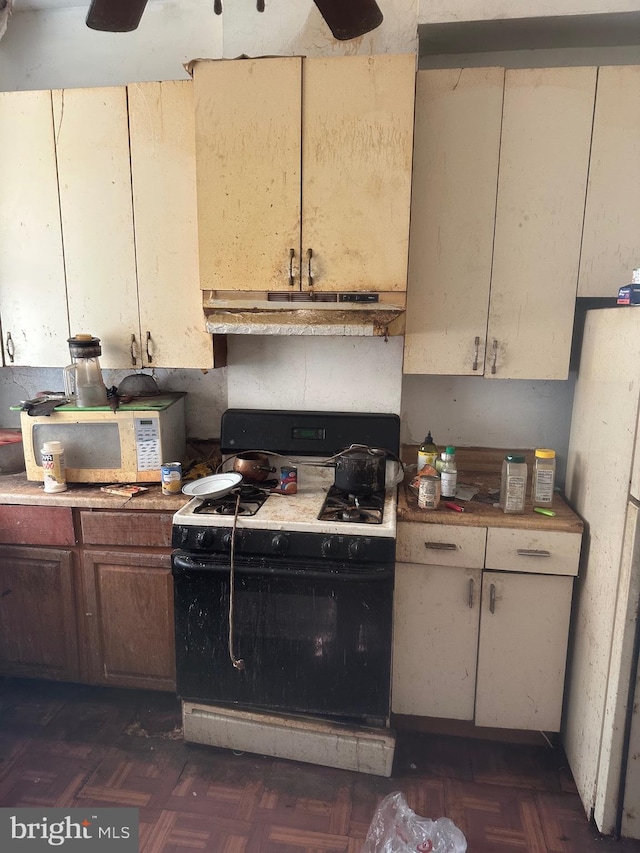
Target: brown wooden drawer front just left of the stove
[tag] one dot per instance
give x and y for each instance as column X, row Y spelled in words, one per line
column 137, row 528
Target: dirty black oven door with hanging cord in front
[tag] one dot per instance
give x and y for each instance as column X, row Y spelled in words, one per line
column 315, row 638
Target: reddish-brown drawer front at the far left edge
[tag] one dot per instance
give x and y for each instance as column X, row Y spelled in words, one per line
column 36, row 525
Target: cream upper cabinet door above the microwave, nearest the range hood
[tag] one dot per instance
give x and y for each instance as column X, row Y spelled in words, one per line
column 163, row 166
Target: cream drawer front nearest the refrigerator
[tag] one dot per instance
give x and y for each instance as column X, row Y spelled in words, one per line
column 542, row 552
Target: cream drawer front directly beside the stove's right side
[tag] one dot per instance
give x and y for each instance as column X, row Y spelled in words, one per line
column 441, row 545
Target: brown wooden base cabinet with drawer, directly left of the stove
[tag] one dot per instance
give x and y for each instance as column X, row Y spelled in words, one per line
column 127, row 600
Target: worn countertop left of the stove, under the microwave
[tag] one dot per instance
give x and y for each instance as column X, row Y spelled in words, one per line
column 16, row 489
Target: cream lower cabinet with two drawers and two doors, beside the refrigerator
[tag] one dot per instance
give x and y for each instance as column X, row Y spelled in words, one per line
column 481, row 621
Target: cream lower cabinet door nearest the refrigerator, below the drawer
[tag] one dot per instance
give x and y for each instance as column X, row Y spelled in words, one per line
column 524, row 627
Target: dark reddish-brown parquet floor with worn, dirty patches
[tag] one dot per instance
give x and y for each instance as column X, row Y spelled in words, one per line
column 70, row 746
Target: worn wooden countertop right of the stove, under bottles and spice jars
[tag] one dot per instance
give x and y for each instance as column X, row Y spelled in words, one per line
column 481, row 467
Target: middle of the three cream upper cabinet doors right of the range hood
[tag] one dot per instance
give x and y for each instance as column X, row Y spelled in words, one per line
column 544, row 157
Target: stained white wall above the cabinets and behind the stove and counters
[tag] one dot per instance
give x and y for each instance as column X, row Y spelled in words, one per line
column 53, row 48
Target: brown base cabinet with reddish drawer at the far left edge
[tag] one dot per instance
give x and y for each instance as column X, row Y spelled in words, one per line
column 38, row 626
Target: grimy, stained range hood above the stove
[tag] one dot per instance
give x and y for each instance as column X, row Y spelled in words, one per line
column 354, row 314
